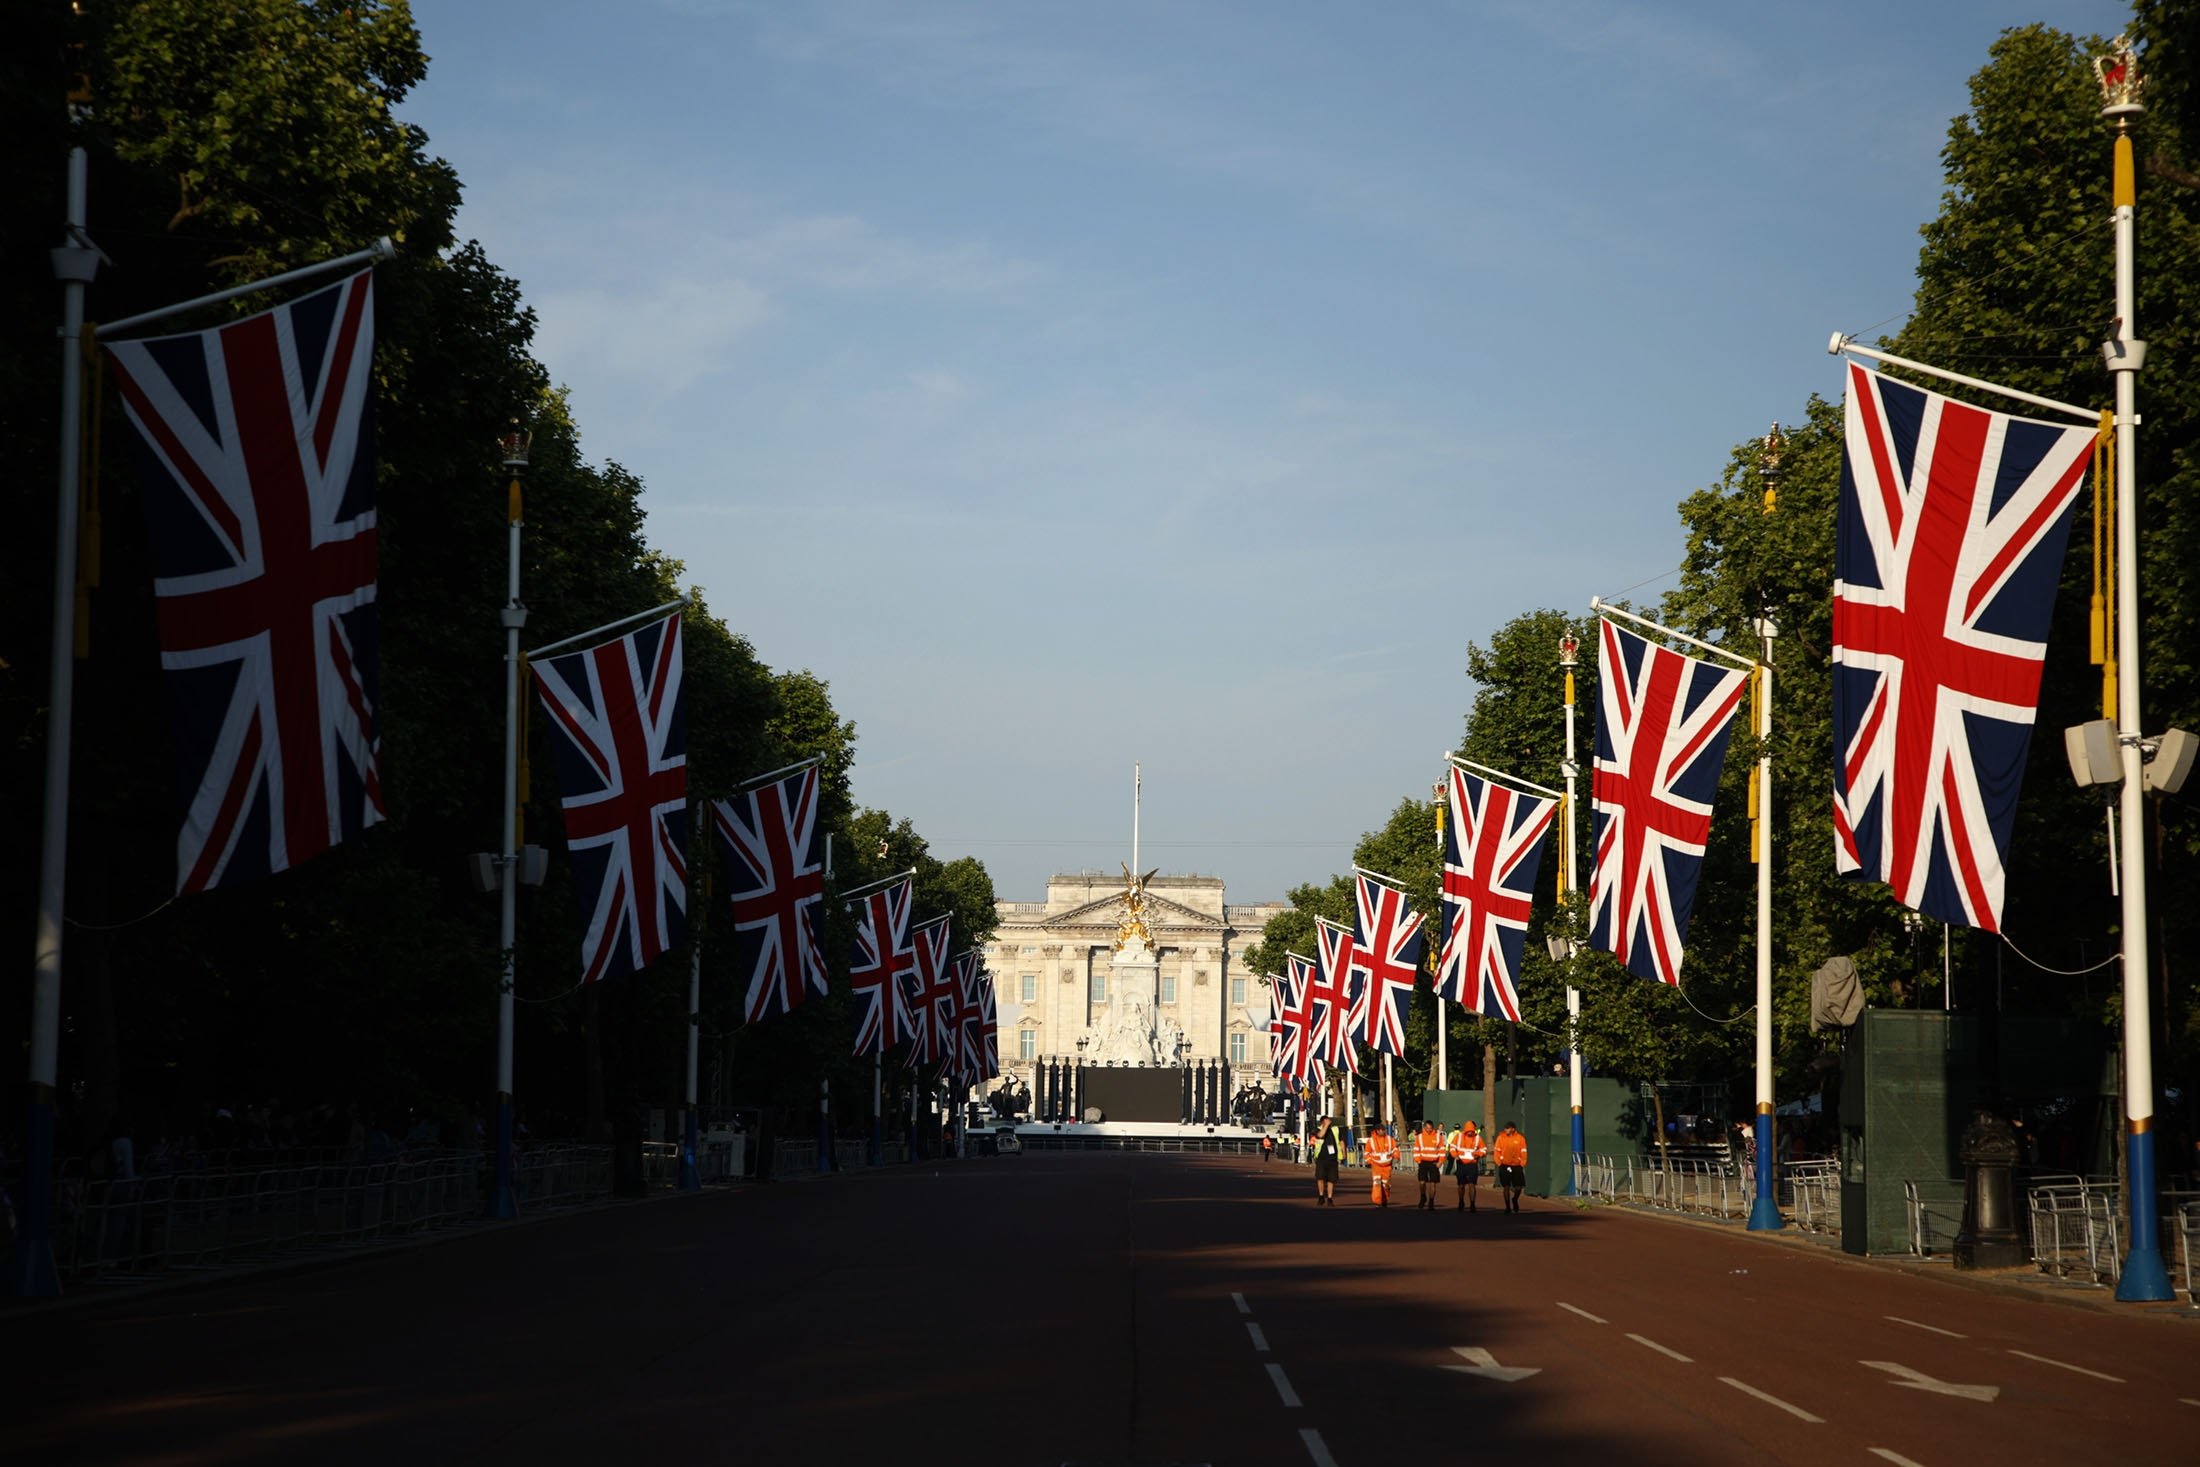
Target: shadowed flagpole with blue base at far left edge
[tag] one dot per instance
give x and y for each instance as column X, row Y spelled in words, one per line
column 30, row 1264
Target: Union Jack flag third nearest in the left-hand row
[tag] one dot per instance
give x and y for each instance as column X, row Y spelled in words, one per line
column 775, row 854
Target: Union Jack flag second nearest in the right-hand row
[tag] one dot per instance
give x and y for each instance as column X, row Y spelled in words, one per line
column 1662, row 740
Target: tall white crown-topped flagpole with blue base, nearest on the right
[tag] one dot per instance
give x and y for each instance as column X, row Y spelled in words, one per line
column 2144, row 1275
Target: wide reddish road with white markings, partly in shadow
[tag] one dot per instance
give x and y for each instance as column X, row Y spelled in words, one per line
column 1092, row 1310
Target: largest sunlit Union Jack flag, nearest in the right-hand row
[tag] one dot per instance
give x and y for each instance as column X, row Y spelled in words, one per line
column 1948, row 551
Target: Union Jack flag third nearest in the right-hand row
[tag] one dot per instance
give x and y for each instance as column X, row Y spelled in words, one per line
column 1493, row 846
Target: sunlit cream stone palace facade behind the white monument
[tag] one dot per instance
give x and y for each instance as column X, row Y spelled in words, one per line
column 1055, row 971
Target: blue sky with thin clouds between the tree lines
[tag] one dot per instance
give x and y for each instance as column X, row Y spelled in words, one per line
column 1185, row 384
